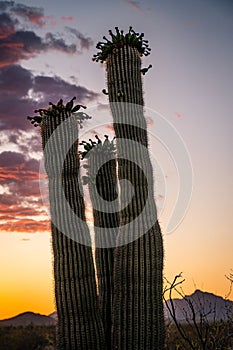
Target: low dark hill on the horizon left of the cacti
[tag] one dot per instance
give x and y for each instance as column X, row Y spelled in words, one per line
column 28, row 318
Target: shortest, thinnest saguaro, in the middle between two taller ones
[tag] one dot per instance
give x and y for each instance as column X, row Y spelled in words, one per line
column 102, row 181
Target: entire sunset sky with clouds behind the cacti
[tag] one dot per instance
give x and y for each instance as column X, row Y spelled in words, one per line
column 45, row 54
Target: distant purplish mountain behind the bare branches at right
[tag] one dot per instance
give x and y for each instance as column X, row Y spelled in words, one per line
column 208, row 305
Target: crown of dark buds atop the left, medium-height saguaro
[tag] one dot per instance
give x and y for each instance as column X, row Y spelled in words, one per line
column 54, row 110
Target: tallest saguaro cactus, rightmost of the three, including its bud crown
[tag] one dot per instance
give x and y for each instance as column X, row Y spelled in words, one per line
column 138, row 320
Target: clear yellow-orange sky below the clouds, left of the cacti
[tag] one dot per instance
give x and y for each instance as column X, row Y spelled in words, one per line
column 26, row 276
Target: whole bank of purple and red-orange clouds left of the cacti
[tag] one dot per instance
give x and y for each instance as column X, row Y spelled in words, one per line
column 21, row 92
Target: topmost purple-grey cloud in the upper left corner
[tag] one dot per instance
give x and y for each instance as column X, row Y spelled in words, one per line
column 16, row 43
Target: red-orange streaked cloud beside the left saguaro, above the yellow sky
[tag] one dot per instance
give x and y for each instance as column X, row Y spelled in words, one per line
column 21, row 197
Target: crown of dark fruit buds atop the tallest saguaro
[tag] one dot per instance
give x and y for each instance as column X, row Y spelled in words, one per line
column 118, row 40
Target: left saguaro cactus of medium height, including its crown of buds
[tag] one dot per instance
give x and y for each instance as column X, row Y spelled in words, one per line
column 79, row 322
